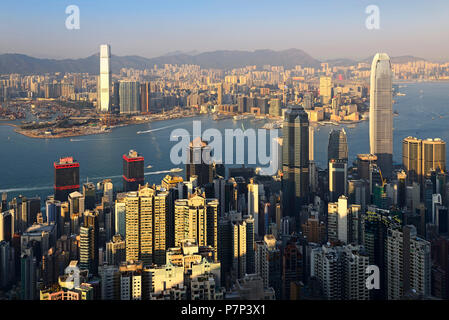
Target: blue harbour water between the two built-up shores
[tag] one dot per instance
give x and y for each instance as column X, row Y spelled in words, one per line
column 27, row 166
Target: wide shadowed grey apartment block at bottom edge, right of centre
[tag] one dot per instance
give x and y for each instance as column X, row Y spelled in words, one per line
column 341, row 272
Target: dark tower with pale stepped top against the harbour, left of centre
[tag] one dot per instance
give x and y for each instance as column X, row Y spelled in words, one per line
column 199, row 162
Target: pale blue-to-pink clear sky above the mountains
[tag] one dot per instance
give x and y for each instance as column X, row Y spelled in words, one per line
column 325, row 29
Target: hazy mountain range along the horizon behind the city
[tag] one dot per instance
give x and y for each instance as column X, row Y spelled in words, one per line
column 223, row 59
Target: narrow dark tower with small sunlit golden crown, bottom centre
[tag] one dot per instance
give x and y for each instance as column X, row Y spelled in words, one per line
column 268, row 263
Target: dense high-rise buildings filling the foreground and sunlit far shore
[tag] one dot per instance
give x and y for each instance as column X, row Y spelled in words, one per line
column 230, row 233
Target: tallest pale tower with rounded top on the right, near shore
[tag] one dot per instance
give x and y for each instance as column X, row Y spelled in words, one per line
column 381, row 113
